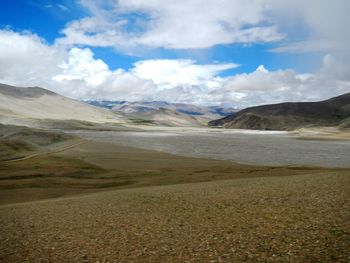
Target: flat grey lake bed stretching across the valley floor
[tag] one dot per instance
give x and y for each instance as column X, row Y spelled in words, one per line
column 249, row 147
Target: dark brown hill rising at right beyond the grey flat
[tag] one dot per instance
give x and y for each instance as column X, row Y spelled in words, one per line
column 291, row 115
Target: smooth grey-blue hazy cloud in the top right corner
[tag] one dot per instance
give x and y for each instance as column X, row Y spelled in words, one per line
column 323, row 25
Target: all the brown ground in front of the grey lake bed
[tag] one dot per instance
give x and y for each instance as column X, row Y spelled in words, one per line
column 98, row 202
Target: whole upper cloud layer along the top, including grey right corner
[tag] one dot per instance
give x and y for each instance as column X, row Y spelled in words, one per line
column 190, row 24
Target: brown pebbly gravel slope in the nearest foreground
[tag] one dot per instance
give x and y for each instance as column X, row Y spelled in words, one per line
column 303, row 218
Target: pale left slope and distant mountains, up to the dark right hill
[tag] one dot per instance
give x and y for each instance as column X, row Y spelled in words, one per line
column 36, row 106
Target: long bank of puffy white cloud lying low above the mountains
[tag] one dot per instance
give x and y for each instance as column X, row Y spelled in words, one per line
column 76, row 73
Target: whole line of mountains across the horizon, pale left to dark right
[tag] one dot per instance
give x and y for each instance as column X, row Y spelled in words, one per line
column 33, row 105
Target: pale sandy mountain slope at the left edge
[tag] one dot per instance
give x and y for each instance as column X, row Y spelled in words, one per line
column 22, row 104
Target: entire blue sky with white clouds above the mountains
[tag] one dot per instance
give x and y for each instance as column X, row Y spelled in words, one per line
column 232, row 53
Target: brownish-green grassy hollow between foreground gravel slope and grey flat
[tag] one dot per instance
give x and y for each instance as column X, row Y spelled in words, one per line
column 96, row 166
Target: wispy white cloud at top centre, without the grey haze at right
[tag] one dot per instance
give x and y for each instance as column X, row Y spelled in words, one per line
column 179, row 24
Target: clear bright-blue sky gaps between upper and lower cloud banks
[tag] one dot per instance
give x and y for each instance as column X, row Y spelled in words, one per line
column 47, row 18
